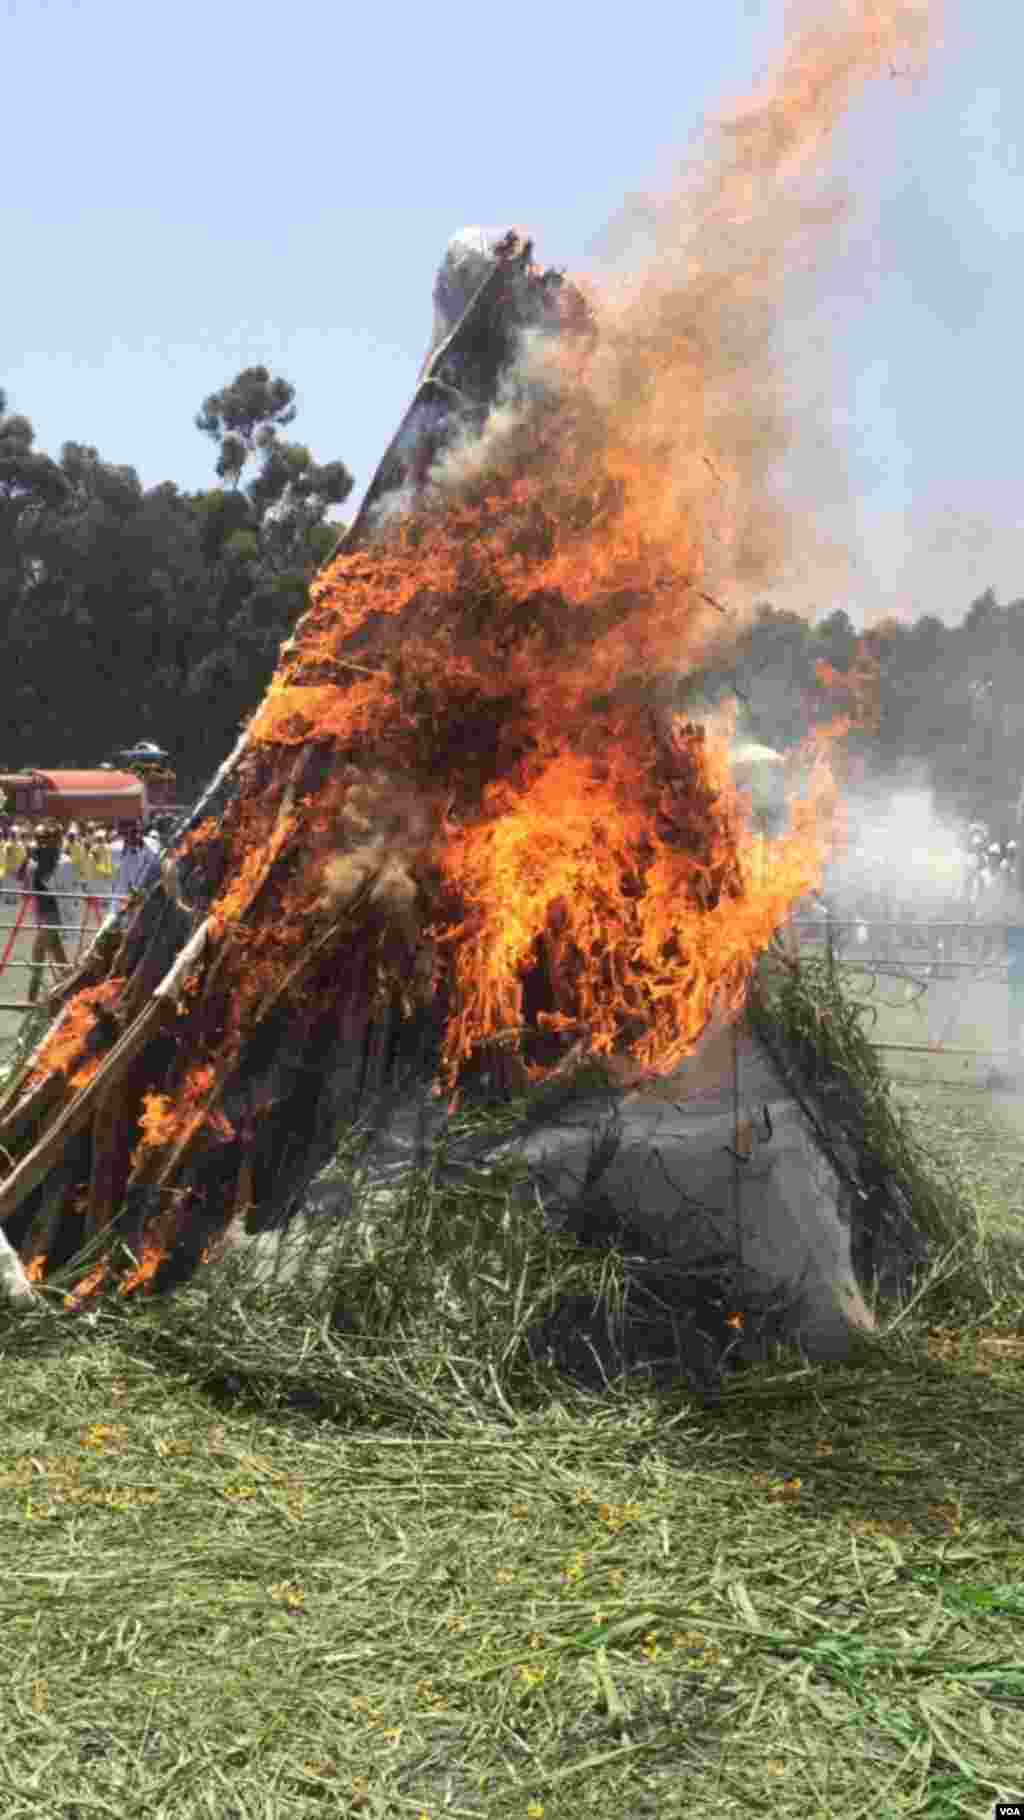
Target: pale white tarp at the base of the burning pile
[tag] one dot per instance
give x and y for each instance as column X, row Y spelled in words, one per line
column 672, row 1175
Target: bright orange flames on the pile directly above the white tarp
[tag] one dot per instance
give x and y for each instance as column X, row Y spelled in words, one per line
column 650, row 956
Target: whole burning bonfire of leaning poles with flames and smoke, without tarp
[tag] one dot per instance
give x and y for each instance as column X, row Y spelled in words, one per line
column 465, row 829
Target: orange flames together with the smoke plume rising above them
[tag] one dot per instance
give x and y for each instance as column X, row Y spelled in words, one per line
column 507, row 662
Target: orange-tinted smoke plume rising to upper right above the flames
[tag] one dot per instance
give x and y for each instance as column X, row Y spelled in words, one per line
column 707, row 412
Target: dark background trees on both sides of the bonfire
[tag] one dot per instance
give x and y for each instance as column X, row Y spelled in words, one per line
column 157, row 614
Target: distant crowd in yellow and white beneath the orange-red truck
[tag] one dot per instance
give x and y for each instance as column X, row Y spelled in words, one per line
column 61, row 869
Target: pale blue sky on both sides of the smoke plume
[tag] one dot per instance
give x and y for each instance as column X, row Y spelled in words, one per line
column 199, row 188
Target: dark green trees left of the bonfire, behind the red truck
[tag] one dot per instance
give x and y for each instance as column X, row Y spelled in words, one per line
column 152, row 612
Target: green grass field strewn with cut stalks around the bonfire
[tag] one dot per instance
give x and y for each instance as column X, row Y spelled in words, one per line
column 272, row 1553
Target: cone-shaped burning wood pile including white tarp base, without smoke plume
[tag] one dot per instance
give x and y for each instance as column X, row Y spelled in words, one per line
column 467, row 849
